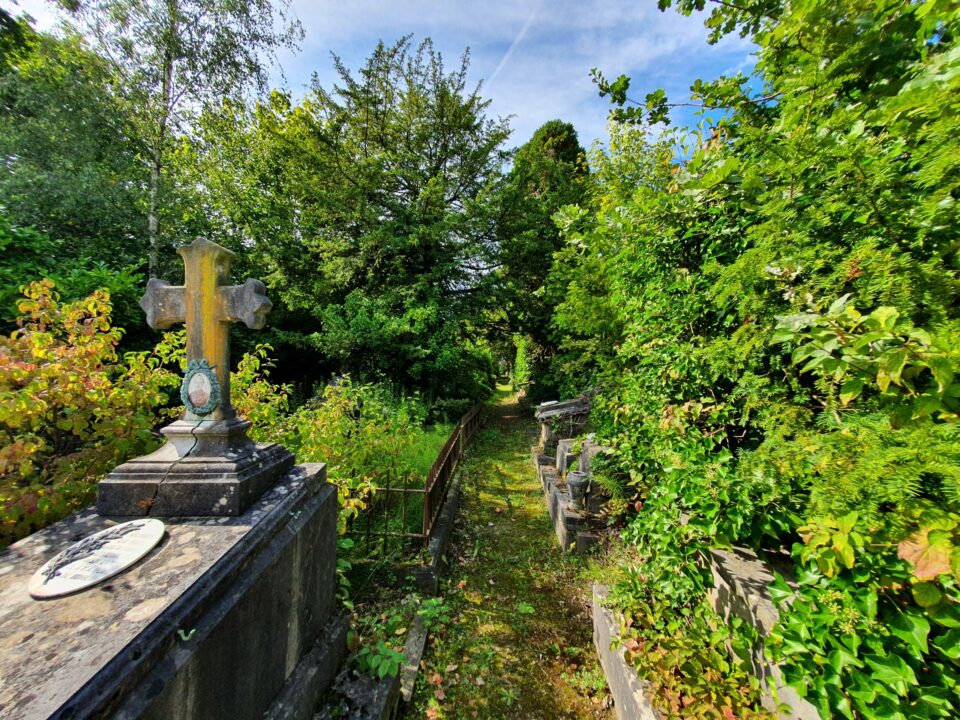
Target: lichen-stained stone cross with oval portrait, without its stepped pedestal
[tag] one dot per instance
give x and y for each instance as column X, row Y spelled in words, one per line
column 207, row 305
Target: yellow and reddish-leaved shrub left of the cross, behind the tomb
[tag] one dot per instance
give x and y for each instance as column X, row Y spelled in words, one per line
column 70, row 409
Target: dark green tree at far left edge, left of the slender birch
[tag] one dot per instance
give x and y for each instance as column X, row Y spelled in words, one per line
column 70, row 168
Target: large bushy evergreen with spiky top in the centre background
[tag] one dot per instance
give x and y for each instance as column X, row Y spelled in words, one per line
column 377, row 197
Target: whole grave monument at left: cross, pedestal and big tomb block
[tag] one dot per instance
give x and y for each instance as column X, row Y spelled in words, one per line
column 232, row 616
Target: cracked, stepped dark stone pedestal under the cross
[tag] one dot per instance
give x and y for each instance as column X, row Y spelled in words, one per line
column 206, row 468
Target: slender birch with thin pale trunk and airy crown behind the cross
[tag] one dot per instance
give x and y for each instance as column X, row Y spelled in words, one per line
column 177, row 57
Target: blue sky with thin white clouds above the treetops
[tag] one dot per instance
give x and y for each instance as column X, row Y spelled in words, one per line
column 533, row 56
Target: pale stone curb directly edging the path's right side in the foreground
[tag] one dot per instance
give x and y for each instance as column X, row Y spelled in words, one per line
column 629, row 692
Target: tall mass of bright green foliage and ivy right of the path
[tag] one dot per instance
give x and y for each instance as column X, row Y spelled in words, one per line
column 742, row 406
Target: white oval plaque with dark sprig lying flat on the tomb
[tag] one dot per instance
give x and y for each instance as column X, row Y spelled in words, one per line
column 96, row 558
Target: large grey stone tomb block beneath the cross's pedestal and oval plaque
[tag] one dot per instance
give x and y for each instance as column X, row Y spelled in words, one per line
column 229, row 617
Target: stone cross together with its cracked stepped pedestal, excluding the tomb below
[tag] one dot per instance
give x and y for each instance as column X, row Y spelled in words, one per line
column 208, row 465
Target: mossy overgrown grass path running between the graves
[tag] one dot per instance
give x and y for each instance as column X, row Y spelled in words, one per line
column 516, row 639
